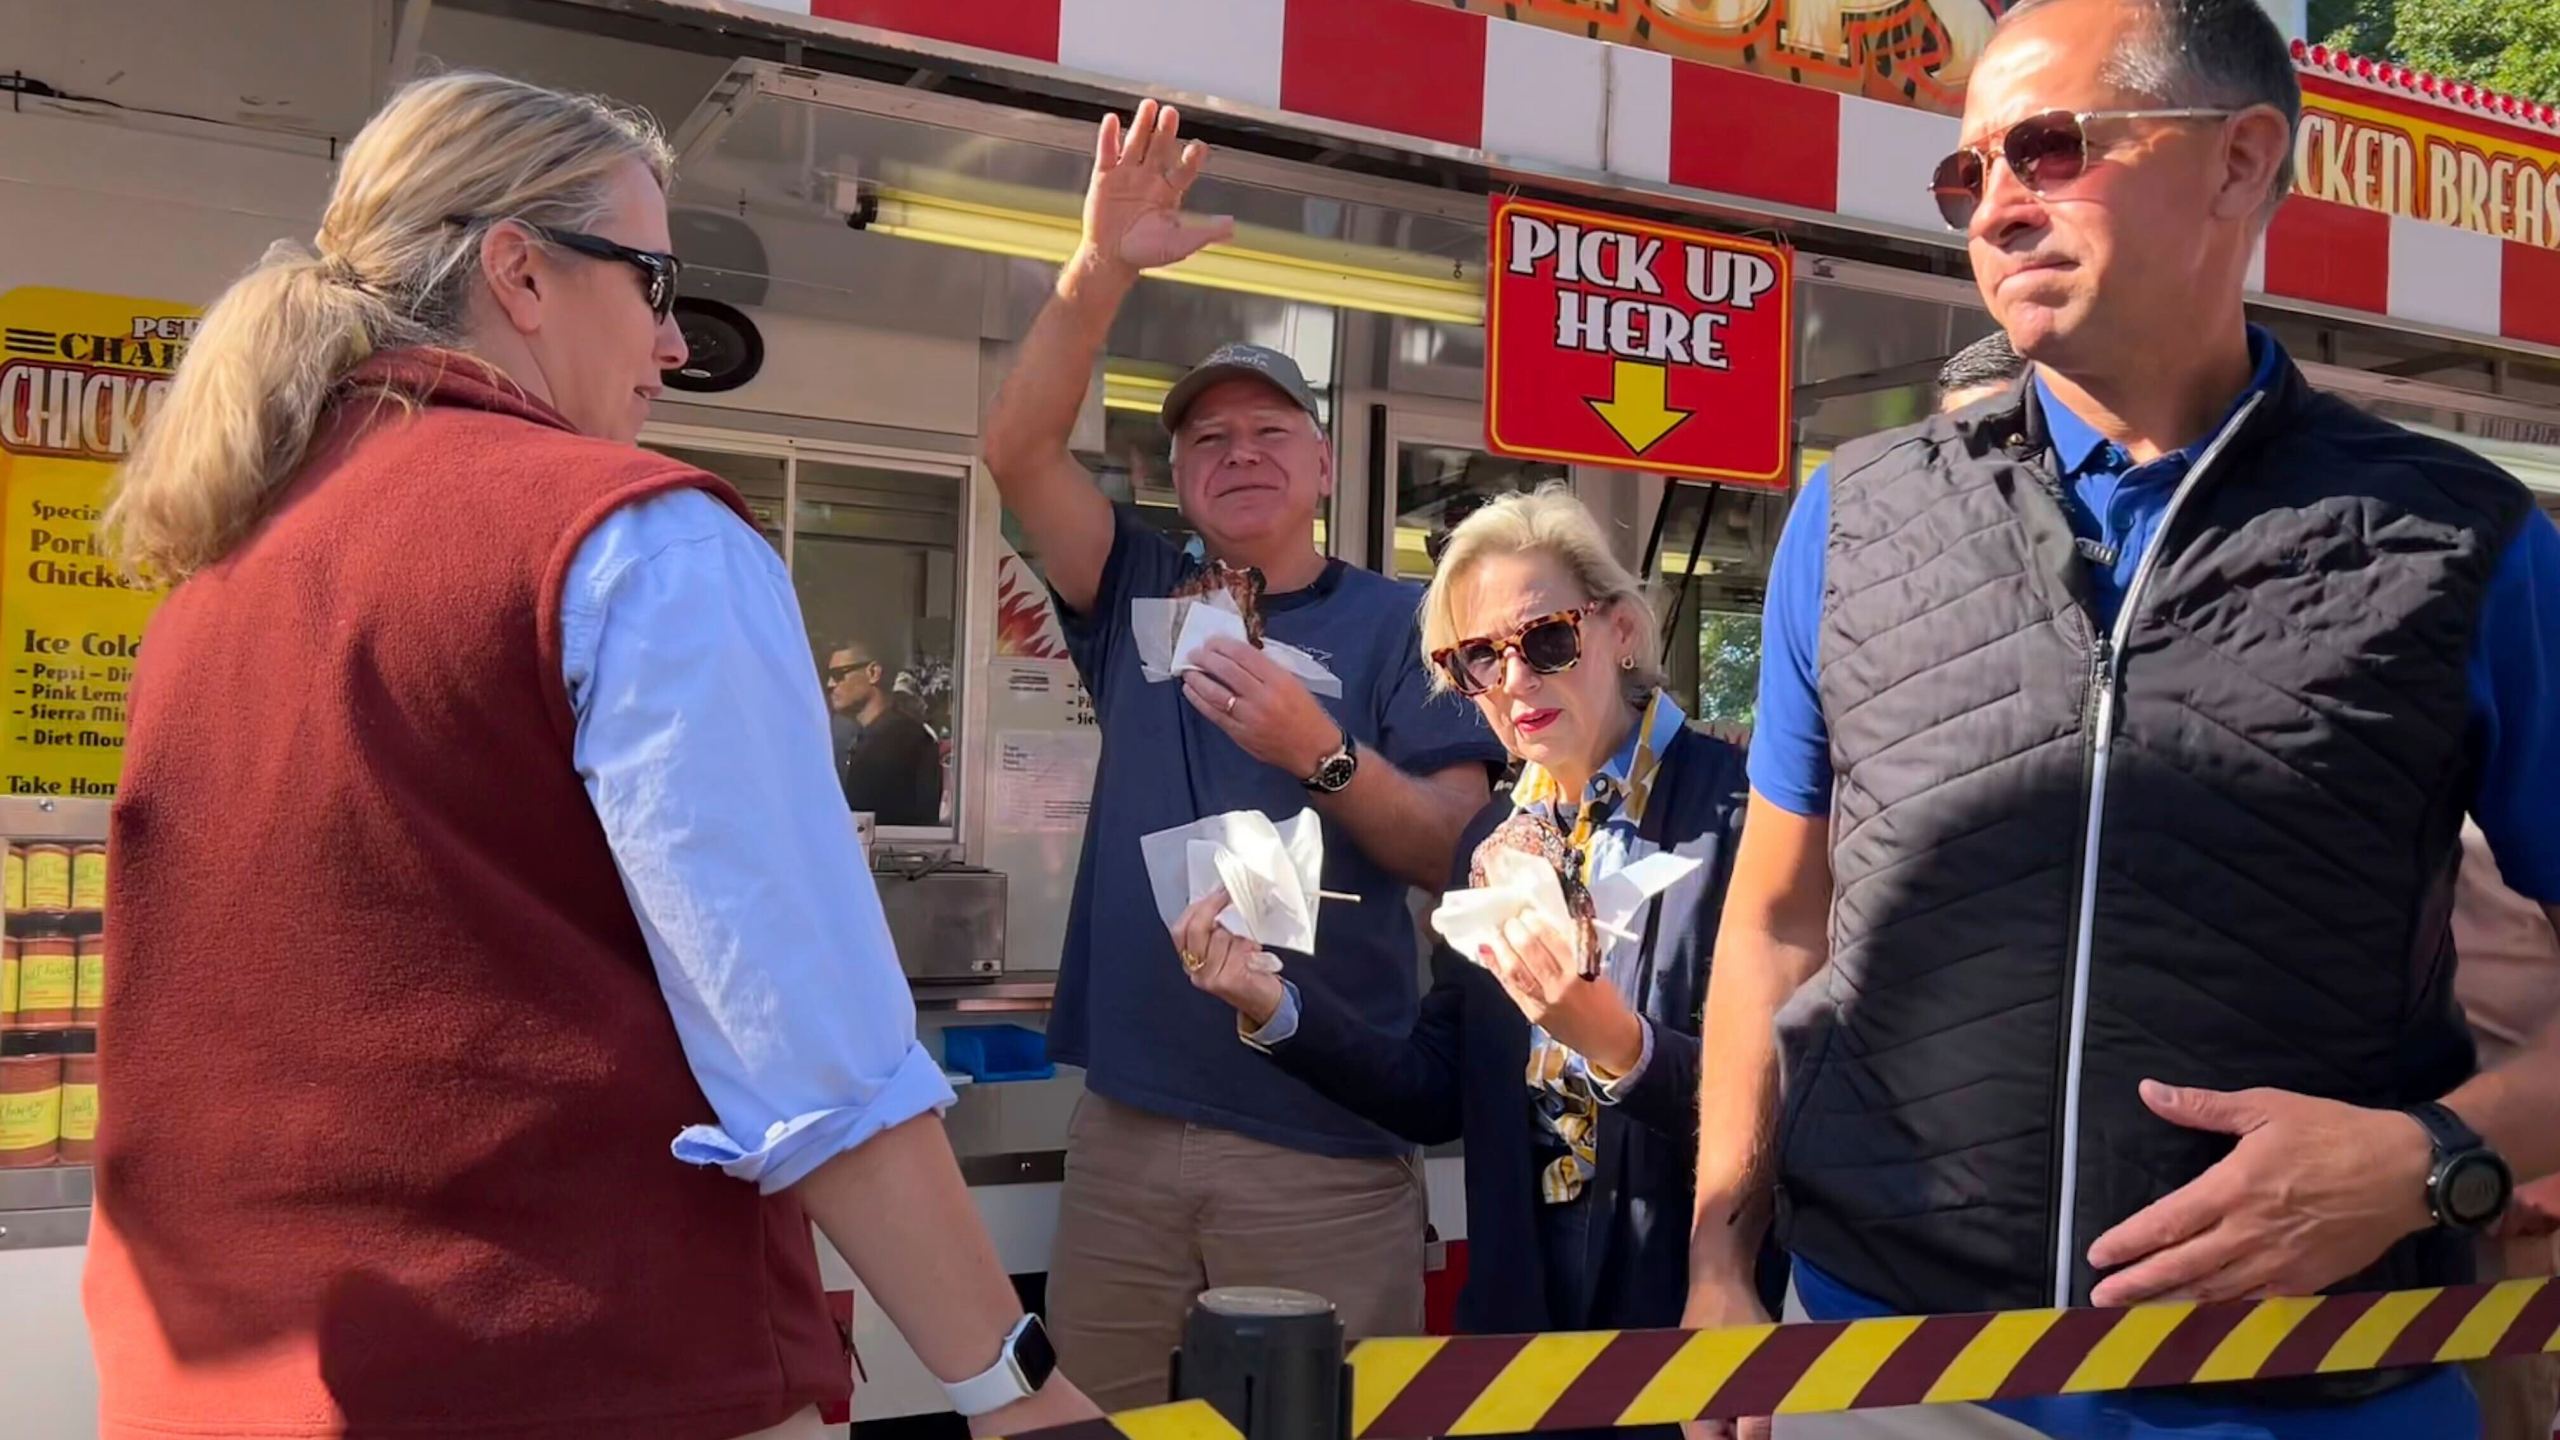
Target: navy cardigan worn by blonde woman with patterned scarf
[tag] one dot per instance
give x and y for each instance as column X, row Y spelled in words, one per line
column 1460, row 1072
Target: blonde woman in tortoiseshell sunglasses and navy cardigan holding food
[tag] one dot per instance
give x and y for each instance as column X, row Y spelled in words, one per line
column 1576, row 1095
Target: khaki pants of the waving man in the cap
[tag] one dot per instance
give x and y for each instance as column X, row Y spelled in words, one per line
column 1158, row 1211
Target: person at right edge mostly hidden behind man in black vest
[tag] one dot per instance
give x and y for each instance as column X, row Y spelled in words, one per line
column 2510, row 988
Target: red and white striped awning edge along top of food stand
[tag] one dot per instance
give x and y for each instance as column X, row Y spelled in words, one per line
column 1540, row 101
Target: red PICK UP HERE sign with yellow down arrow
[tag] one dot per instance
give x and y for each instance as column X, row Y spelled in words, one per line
column 1642, row 347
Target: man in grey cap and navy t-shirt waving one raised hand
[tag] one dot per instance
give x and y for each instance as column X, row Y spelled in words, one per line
column 1194, row 1162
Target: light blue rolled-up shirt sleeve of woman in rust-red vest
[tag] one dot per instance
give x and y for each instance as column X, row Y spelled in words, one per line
column 703, row 742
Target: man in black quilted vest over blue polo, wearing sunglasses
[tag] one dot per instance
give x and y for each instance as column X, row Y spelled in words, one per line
column 2088, row 939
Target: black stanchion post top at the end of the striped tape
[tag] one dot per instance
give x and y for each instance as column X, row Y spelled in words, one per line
column 1268, row 1362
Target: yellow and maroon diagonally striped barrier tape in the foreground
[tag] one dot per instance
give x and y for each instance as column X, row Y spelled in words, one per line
column 1501, row 1385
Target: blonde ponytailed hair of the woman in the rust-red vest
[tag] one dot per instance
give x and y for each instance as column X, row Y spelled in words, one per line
column 388, row 270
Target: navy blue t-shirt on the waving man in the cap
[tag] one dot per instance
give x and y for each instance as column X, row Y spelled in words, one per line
column 1125, row 1008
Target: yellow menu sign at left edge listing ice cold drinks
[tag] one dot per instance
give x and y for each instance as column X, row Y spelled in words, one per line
column 78, row 378
